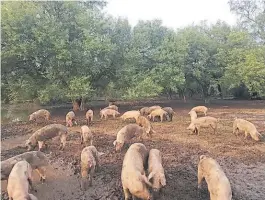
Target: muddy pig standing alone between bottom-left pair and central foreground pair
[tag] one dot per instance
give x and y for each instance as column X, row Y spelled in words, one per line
column 89, row 163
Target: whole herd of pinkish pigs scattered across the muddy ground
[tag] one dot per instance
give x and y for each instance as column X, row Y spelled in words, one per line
column 142, row 169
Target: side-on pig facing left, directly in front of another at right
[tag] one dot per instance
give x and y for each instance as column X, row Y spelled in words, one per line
column 204, row 122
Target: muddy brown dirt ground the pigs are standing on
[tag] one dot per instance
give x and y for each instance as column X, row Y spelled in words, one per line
column 242, row 160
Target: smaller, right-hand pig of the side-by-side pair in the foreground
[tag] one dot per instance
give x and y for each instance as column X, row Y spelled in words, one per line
column 156, row 170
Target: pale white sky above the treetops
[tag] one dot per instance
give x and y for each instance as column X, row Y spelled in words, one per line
column 174, row 13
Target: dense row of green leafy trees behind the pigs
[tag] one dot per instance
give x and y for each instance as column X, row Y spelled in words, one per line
column 64, row 50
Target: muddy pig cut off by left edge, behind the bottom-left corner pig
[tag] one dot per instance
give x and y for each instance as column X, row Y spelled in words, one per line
column 36, row 159
